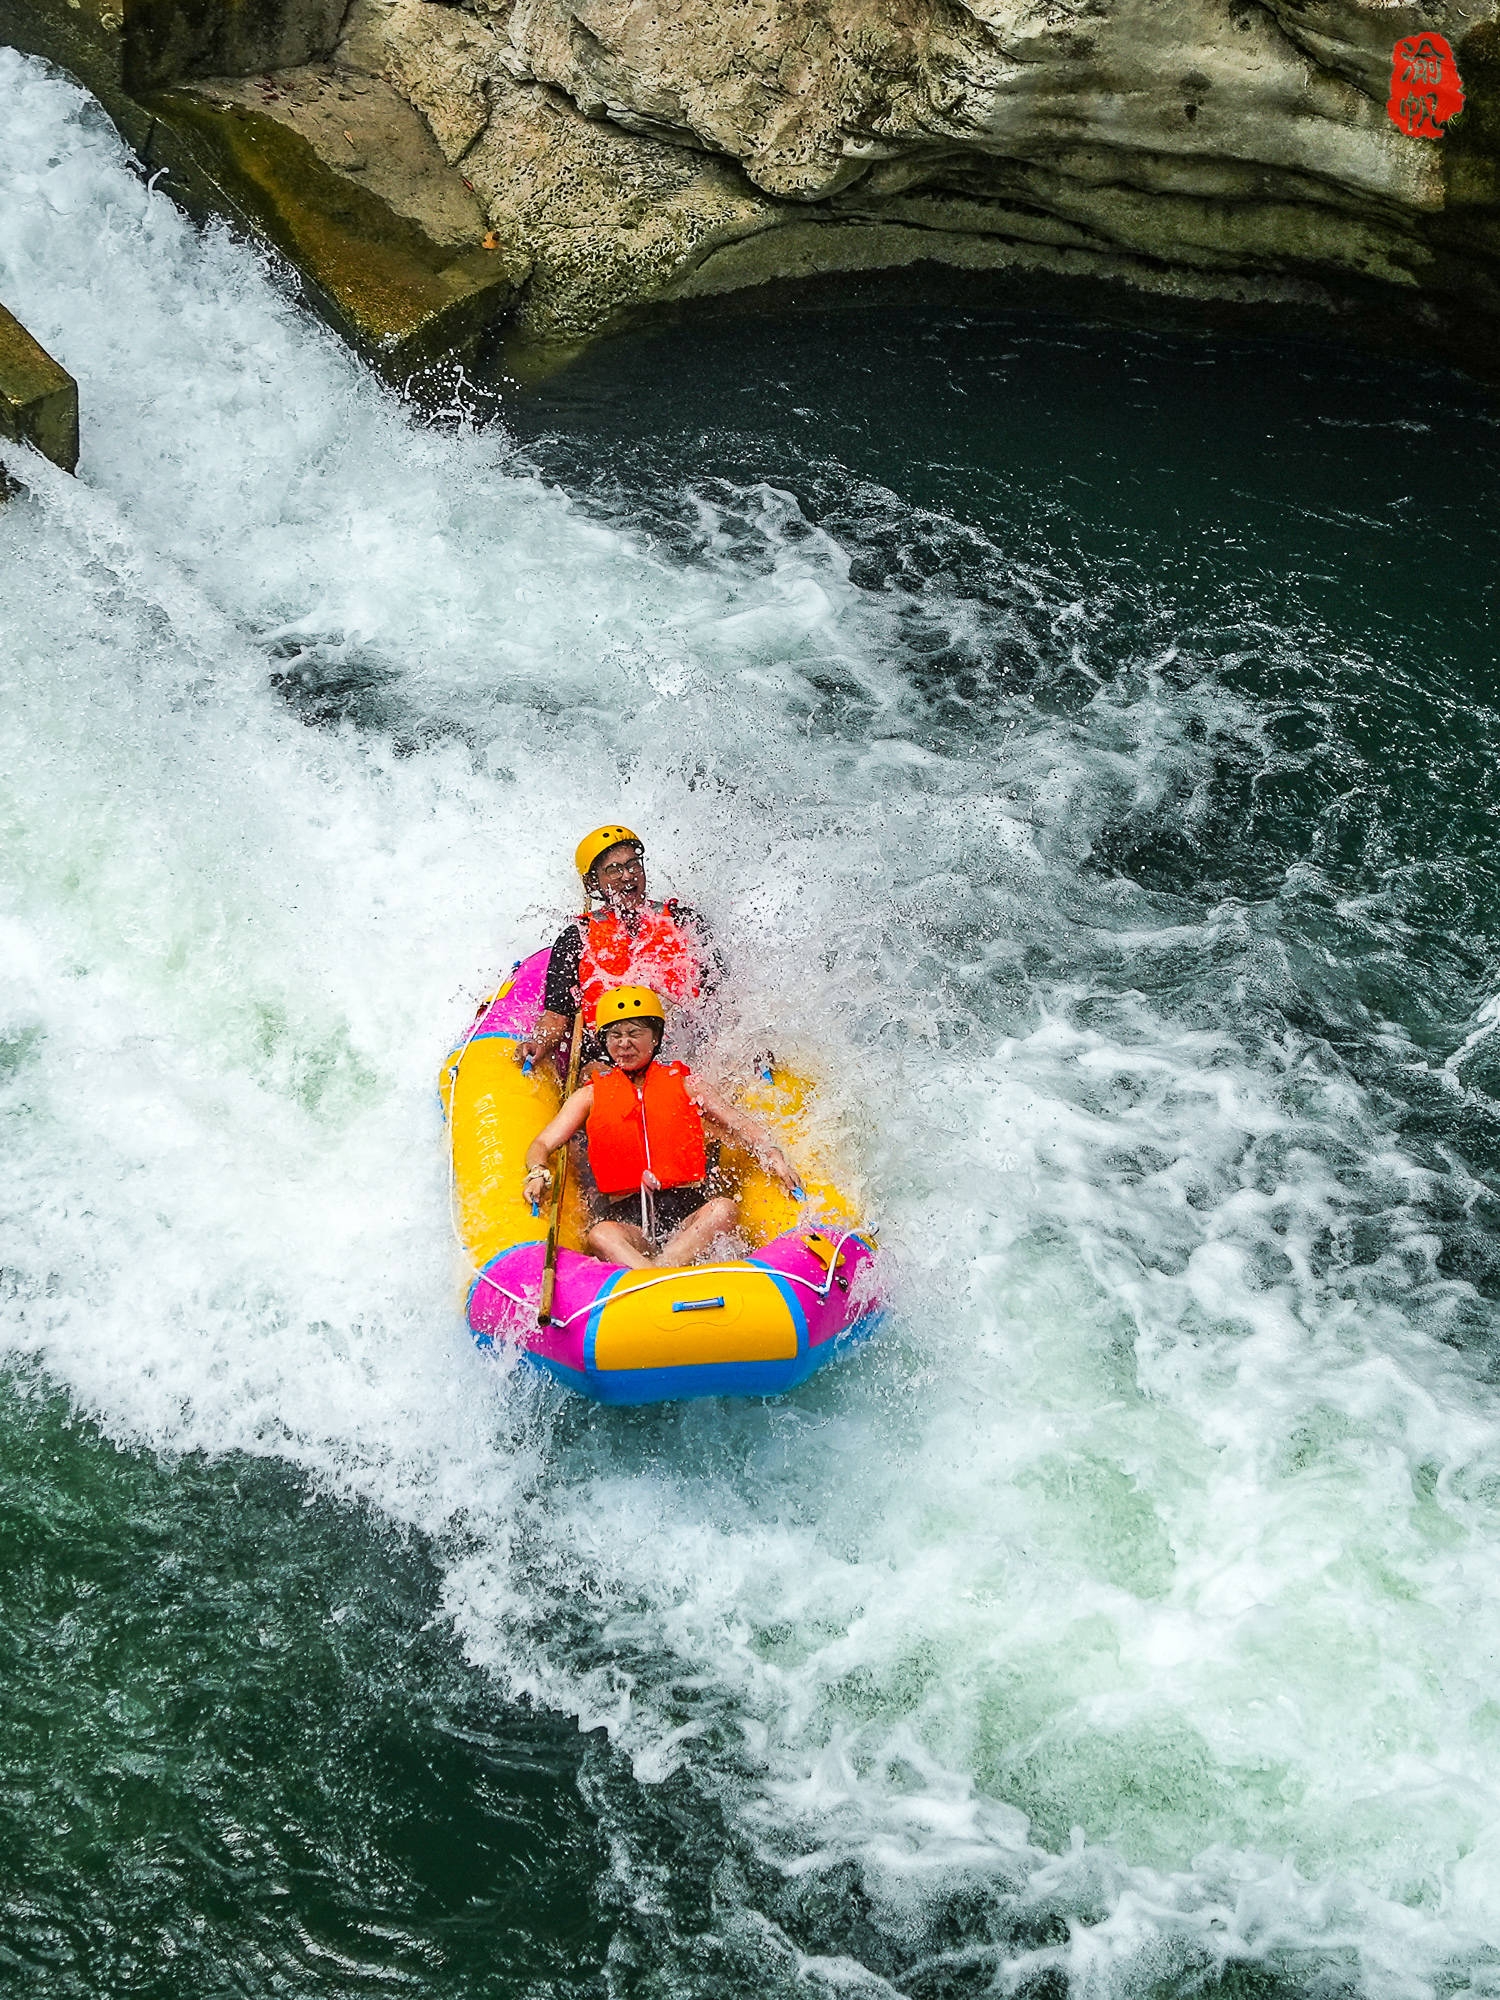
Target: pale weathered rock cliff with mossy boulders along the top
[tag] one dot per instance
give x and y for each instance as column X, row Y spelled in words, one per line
column 565, row 165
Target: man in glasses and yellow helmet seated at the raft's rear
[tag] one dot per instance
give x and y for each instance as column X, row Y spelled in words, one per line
column 621, row 937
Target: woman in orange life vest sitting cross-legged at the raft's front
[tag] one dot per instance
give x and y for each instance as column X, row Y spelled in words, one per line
column 645, row 1125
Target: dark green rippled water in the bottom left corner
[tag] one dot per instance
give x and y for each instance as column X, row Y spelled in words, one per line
column 239, row 1757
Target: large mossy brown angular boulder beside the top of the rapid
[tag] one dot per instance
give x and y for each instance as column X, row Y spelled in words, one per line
column 249, row 115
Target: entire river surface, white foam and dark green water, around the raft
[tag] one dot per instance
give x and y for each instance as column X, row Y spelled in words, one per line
column 1109, row 723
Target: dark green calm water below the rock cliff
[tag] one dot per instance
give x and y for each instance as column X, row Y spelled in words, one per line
column 1303, row 535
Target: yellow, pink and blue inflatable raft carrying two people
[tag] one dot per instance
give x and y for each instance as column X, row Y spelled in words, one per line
column 751, row 1327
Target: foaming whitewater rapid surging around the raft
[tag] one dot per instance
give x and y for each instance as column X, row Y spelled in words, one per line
column 1143, row 1571
